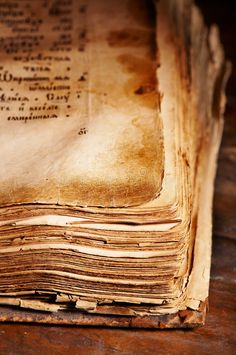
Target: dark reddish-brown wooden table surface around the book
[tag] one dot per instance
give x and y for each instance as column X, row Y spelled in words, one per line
column 217, row 336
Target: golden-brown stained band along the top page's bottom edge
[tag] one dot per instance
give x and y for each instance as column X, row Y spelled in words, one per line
column 83, row 193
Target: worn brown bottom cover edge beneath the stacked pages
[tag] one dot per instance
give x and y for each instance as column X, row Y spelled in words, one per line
column 182, row 319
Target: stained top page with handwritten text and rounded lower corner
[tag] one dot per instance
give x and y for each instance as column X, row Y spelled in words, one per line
column 79, row 119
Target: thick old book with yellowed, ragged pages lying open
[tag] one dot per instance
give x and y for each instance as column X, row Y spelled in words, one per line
column 111, row 119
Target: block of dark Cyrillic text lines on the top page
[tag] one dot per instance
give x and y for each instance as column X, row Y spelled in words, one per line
column 40, row 44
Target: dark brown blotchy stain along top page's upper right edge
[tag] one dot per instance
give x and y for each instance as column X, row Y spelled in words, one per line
column 141, row 87
